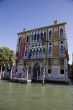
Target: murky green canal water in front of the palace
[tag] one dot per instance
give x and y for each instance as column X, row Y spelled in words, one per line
column 15, row 96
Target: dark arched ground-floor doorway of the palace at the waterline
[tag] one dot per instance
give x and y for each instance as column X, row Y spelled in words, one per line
column 36, row 71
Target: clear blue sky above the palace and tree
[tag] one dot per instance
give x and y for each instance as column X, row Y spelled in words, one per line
column 18, row 14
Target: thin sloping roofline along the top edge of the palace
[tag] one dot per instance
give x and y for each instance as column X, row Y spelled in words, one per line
column 64, row 23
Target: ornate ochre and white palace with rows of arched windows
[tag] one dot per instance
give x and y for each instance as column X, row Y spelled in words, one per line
column 43, row 49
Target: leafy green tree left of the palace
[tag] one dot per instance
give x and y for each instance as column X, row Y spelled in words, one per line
column 6, row 57
